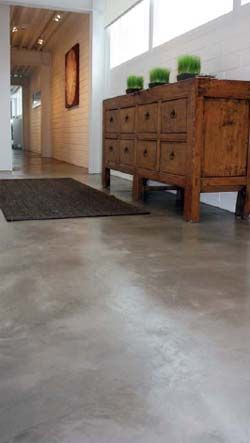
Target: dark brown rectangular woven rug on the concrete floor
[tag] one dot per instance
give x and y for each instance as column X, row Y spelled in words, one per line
column 44, row 199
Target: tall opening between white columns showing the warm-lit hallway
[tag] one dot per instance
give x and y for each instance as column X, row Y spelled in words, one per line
column 40, row 42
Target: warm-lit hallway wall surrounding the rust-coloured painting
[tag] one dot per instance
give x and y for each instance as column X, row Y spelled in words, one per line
column 70, row 128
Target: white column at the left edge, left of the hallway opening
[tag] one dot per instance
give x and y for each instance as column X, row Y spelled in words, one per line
column 5, row 133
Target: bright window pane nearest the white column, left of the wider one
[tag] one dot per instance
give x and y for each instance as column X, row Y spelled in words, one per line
column 129, row 35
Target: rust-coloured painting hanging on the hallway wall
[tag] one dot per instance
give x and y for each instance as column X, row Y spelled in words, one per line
column 72, row 77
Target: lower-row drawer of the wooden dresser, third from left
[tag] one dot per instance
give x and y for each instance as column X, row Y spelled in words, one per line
column 146, row 154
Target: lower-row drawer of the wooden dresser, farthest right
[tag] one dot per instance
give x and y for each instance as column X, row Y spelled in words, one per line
column 173, row 158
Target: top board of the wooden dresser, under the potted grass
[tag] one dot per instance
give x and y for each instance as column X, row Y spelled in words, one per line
column 200, row 86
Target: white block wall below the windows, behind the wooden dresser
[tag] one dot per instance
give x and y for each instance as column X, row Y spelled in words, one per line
column 224, row 46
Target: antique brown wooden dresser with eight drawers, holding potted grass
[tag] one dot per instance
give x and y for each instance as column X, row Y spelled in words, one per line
column 193, row 134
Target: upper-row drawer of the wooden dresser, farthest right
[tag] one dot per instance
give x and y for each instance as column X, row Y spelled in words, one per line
column 174, row 116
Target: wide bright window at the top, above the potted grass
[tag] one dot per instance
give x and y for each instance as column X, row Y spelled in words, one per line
column 175, row 17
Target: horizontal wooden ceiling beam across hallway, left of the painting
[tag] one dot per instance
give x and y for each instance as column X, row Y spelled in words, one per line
column 25, row 57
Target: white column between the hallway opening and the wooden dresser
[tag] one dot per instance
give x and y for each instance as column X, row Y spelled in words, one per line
column 97, row 70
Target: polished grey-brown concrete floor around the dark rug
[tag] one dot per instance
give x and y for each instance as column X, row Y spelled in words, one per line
column 125, row 329
